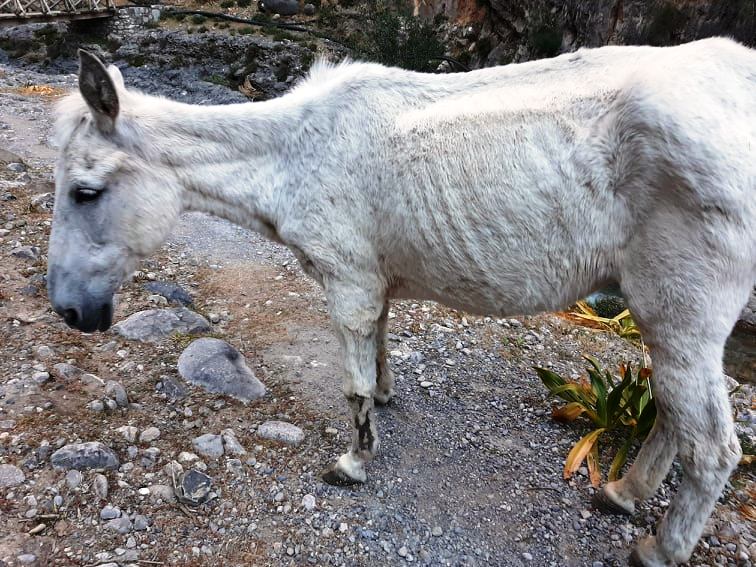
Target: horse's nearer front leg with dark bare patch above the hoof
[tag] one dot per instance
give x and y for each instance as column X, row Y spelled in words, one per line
column 356, row 315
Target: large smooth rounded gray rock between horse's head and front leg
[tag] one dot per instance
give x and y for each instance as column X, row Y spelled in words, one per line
column 219, row 368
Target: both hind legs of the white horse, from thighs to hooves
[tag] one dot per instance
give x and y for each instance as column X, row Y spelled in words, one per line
column 686, row 302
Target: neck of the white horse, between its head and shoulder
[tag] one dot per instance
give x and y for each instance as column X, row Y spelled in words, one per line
column 234, row 161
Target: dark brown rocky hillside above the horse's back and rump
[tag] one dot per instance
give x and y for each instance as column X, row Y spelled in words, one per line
column 519, row 30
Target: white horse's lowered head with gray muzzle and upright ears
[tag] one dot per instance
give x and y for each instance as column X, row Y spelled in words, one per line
column 112, row 208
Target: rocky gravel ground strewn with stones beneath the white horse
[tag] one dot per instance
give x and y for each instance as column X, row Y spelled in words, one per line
column 470, row 466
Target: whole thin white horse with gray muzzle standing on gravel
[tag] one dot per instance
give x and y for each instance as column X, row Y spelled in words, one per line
column 507, row 190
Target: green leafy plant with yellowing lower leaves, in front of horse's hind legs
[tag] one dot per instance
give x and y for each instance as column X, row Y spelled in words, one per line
column 622, row 405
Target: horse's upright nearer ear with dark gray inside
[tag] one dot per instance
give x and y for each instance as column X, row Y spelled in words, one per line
column 98, row 90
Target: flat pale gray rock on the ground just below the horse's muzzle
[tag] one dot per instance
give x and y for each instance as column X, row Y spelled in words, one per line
column 156, row 325
